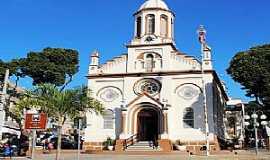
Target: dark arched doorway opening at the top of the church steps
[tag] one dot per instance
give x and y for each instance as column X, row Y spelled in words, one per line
column 148, row 128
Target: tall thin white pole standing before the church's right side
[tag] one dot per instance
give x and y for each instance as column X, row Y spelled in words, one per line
column 202, row 39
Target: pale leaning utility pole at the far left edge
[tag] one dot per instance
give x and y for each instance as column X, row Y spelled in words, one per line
column 3, row 103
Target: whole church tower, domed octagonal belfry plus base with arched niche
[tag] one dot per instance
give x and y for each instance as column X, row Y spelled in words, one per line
column 153, row 40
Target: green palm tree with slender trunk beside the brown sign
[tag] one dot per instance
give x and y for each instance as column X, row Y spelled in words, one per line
column 61, row 105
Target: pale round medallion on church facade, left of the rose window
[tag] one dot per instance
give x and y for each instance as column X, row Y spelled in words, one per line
column 109, row 94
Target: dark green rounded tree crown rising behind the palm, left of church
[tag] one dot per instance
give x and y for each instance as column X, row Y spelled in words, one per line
column 52, row 65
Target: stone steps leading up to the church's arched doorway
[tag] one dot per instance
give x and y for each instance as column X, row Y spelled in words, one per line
column 143, row 146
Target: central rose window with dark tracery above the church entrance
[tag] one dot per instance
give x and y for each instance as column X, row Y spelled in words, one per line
column 150, row 86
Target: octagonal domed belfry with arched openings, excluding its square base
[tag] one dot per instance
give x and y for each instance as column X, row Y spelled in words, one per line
column 154, row 23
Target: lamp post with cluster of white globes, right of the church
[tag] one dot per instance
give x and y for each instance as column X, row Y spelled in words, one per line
column 253, row 120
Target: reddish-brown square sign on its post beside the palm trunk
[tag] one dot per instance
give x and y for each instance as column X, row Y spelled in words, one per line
column 34, row 122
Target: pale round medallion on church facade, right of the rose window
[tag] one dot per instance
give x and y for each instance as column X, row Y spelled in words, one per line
column 188, row 92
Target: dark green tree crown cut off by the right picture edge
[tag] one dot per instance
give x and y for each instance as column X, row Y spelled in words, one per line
column 251, row 69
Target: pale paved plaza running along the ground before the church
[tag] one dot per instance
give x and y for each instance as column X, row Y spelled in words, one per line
column 242, row 155
